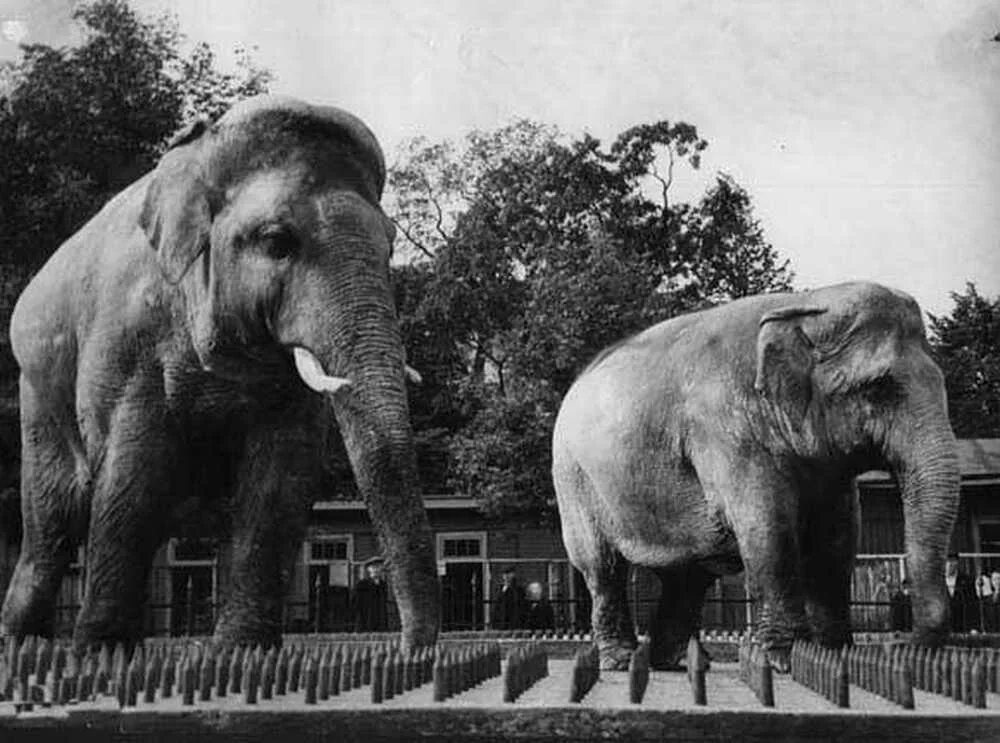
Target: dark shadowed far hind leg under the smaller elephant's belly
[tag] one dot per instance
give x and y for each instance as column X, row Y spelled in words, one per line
column 678, row 616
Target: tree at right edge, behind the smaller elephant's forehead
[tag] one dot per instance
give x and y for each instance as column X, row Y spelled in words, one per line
column 966, row 345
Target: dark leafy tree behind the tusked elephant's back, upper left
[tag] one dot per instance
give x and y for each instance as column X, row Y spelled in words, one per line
column 78, row 124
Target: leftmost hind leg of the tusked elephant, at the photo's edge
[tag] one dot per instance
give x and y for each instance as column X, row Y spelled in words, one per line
column 52, row 522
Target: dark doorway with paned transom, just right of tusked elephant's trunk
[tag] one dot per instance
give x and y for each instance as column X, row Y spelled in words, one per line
column 464, row 572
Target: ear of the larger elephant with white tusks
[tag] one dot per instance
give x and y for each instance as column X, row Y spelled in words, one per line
column 175, row 213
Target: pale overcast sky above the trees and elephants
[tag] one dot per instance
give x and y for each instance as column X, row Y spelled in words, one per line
column 868, row 133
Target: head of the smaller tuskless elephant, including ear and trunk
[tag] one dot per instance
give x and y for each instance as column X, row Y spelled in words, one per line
column 850, row 370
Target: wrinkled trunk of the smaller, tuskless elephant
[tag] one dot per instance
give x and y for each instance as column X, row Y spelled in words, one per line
column 924, row 455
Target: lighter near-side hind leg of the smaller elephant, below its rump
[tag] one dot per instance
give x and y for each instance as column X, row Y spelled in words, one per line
column 603, row 567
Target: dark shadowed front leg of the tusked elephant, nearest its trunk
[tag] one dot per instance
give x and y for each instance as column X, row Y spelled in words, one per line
column 278, row 479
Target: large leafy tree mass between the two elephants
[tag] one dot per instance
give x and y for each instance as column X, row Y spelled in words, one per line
column 539, row 252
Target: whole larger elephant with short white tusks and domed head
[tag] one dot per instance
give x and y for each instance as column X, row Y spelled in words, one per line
column 205, row 336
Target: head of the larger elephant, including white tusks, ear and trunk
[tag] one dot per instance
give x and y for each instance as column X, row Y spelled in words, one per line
column 268, row 222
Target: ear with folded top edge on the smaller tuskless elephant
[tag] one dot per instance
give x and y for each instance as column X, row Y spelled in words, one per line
column 785, row 359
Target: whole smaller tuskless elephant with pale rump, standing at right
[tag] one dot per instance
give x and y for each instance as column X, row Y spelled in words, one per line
column 729, row 439
